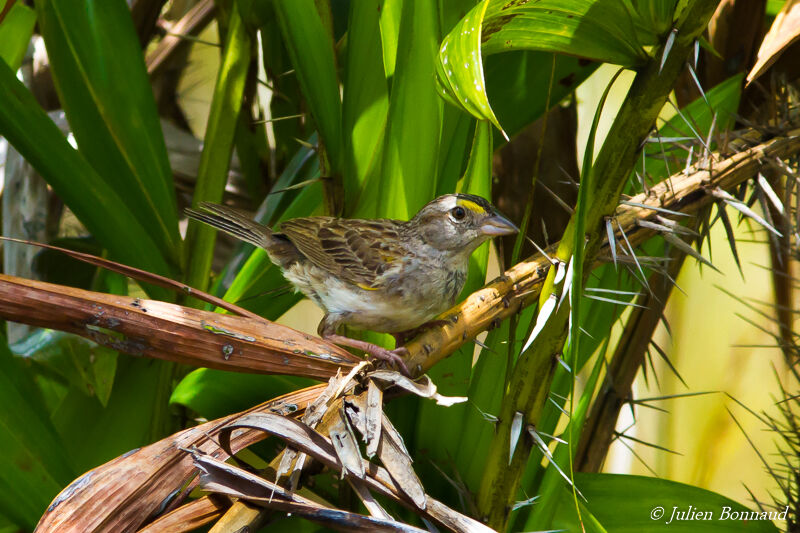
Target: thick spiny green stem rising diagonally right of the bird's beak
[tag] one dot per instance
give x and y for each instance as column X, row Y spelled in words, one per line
column 530, row 382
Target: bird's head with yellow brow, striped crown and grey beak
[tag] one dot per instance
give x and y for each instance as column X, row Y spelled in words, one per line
column 460, row 222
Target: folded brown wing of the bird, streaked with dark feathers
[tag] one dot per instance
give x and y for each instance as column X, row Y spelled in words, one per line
column 358, row 251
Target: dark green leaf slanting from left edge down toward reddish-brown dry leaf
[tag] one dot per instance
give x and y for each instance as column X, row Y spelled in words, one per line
column 96, row 204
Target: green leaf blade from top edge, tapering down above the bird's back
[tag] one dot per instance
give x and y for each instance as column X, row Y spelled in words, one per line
column 310, row 46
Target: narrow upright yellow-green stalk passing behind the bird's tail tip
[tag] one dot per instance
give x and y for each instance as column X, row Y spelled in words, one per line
column 218, row 145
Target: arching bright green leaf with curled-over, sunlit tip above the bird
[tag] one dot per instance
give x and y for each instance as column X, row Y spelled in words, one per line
column 601, row 30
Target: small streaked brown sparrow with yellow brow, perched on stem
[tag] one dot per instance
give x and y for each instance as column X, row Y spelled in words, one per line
column 388, row 276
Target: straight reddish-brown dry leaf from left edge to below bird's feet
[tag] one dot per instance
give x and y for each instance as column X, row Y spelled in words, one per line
column 162, row 330
